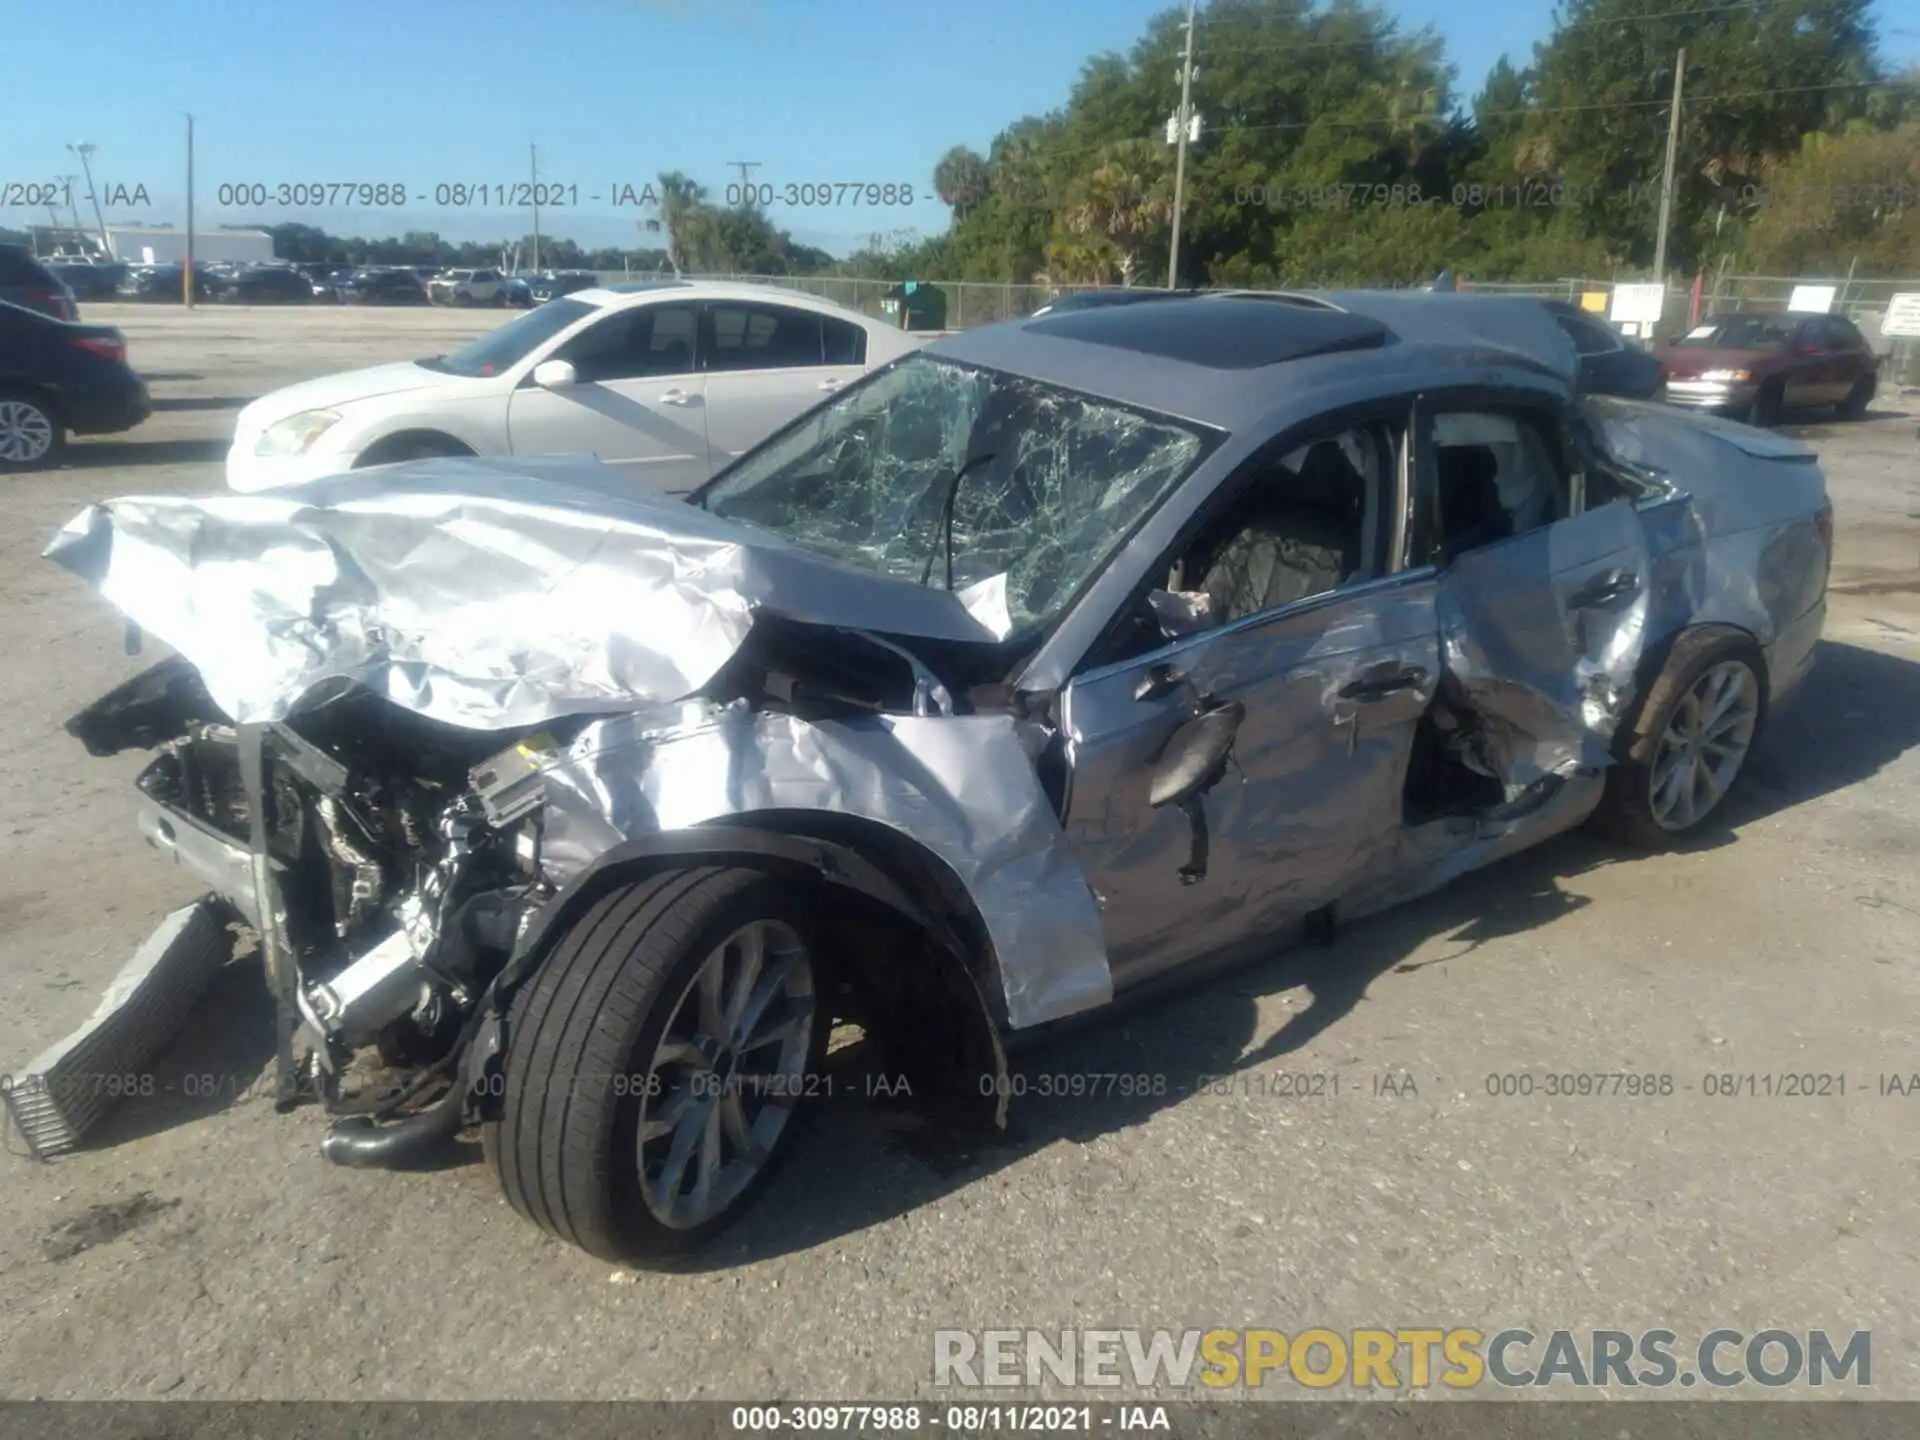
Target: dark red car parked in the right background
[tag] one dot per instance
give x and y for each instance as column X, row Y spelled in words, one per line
column 1762, row 366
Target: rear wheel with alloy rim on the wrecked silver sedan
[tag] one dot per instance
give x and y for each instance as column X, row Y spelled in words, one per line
column 1689, row 740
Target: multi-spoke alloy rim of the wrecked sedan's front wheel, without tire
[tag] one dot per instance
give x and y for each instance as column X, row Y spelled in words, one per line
column 727, row 1074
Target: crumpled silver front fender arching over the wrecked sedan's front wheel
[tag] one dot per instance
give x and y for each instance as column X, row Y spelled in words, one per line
column 961, row 786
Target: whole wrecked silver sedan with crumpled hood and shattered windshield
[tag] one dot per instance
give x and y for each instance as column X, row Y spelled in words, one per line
column 1040, row 665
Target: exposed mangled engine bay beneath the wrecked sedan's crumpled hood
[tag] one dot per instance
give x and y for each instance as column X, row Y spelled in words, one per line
column 396, row 894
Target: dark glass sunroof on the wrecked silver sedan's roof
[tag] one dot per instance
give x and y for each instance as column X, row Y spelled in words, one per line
column 1222, row 335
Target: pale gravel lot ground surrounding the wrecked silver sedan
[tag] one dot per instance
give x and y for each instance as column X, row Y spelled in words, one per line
column 203, row 1249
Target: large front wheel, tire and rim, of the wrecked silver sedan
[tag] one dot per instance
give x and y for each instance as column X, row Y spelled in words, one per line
column 660, row 1059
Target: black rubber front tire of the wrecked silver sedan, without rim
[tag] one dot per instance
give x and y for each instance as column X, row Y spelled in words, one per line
column 567, row 1143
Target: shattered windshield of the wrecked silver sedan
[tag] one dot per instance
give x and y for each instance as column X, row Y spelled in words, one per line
column 1040, row 487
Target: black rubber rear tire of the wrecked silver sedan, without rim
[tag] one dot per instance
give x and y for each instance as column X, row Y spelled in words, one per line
column 1625, row 811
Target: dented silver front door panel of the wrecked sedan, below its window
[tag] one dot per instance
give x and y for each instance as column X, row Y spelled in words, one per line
column 1333, row 690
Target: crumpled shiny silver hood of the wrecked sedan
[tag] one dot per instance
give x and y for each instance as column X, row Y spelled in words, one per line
column 483, row 592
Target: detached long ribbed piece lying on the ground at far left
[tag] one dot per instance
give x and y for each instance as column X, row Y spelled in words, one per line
column 62, row 1095
